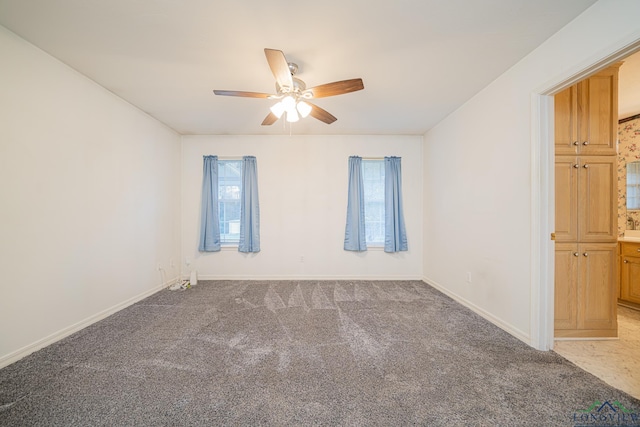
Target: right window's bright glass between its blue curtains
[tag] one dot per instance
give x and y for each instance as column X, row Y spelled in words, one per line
column 373, row 182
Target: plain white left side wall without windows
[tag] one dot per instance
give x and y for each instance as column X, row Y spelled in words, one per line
column 90, row 192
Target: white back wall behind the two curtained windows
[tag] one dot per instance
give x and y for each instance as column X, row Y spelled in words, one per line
column 303, row 200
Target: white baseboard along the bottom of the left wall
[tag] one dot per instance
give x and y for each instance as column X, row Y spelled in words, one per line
column 57, row 336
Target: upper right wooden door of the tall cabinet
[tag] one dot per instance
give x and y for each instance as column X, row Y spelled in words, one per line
column 598, row 113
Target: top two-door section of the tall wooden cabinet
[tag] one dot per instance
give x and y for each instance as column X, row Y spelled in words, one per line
column 586, row 115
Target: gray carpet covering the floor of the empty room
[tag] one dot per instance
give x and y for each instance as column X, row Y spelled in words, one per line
column 300, row 353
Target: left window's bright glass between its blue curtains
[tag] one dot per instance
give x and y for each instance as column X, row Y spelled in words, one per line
column 229, row 191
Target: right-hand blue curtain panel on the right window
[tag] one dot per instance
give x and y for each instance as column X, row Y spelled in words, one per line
column 395, row 235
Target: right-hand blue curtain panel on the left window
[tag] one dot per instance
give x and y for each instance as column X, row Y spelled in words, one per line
column 249, row 207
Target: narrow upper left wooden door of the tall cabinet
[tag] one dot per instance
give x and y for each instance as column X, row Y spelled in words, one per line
column 566, row 121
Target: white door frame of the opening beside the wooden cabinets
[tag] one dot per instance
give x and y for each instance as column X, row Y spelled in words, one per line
column 543, row 186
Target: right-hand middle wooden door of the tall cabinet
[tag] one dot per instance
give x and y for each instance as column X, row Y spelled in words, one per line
column 597, row 199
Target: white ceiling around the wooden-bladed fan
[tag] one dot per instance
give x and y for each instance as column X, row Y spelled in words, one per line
column 419, row 59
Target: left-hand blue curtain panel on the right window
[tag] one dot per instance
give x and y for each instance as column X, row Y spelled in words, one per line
column 354, row 234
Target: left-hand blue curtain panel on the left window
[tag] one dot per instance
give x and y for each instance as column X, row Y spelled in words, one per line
column 209, row 222
